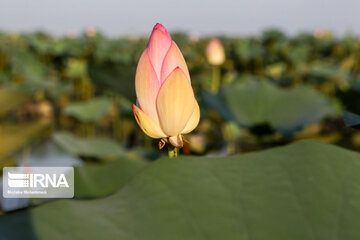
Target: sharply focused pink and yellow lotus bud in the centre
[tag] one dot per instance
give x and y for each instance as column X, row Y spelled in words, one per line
column 166, row 107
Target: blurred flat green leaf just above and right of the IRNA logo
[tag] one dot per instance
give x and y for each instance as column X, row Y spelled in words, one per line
column 90, row 147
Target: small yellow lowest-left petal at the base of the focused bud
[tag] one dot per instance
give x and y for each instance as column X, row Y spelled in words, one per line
column 149, row 126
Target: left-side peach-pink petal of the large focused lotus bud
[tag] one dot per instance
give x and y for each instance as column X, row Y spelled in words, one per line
column 147, row 86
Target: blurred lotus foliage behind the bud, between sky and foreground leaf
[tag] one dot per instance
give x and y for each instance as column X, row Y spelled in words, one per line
column 80, row 74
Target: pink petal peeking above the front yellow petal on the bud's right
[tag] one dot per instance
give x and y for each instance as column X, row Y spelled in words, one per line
column 173, row 59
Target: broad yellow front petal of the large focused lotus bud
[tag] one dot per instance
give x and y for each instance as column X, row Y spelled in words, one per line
column 175, row 103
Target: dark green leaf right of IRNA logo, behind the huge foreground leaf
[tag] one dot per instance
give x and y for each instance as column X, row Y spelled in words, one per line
column 99, row 180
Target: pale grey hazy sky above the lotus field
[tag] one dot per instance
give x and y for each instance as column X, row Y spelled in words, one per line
column 204, row 17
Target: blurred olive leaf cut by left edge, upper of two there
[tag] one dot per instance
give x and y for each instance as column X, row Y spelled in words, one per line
column 12, row 100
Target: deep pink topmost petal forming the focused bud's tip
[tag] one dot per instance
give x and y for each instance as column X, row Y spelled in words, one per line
column 158, row 46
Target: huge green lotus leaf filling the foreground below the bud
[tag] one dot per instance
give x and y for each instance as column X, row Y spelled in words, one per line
column 305, row 191
